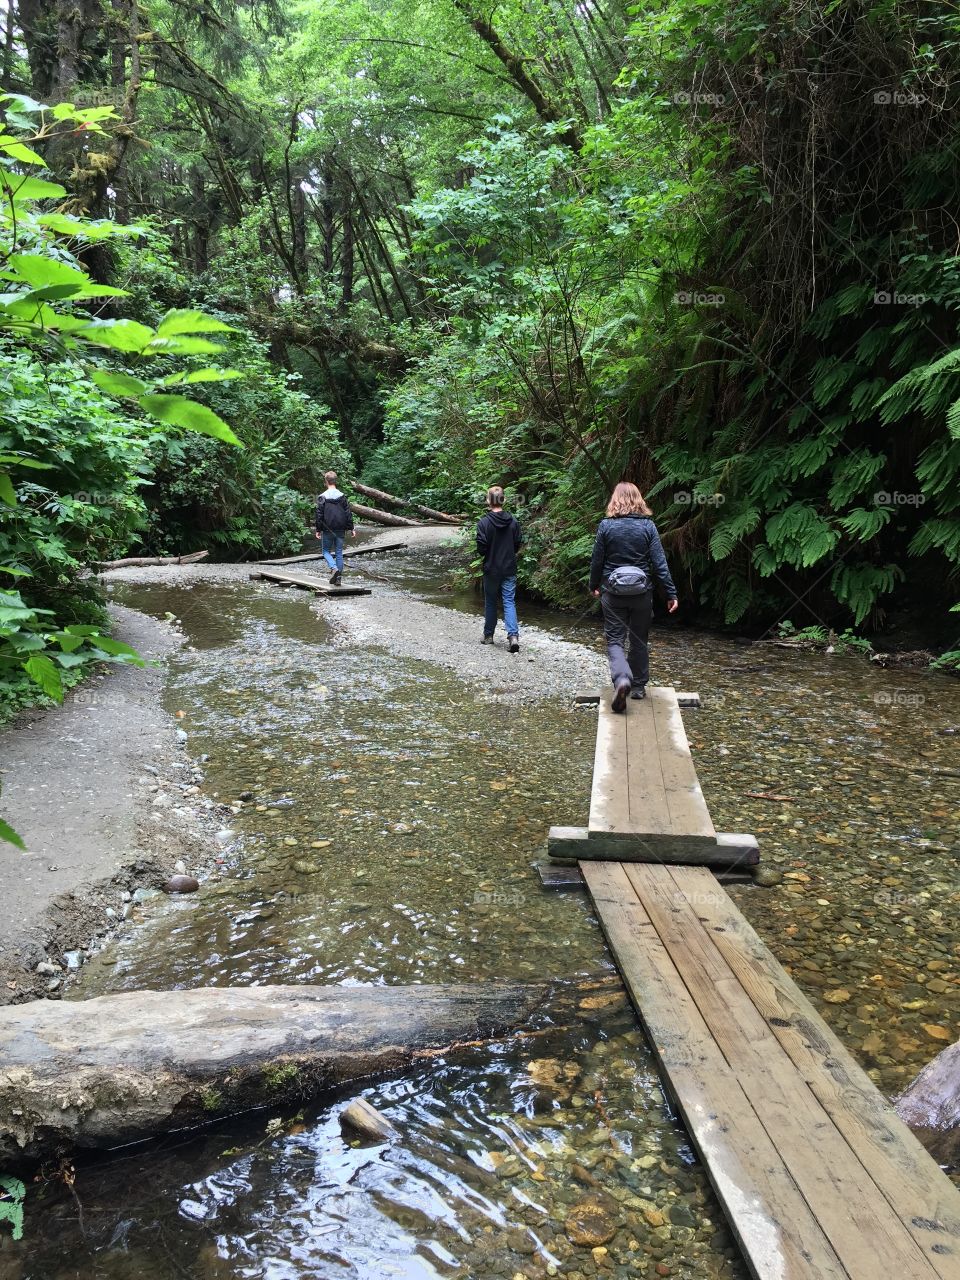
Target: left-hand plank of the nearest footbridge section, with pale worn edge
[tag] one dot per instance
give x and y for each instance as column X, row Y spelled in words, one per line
column 778, row 1232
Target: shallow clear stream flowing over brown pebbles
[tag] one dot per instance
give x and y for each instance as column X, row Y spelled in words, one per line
column 387, row 833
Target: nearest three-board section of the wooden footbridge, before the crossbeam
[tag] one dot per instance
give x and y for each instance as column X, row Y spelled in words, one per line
column 817, row 1174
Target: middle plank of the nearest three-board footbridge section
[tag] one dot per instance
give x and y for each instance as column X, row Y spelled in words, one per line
column 852, row 1210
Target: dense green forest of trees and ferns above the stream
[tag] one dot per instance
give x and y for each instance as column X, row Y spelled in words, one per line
column 708, row 248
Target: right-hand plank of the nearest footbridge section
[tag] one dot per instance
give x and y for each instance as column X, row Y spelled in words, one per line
column 913, row 1183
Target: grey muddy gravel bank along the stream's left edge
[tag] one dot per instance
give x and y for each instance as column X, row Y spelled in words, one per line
column 108, row 803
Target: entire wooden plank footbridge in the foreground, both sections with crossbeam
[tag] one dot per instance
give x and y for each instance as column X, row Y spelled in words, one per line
column 819, row 1177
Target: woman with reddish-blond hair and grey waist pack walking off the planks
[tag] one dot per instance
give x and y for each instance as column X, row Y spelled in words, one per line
column 628, row 557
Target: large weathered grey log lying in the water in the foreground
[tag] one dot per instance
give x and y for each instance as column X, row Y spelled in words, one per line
column 116, row 1069
